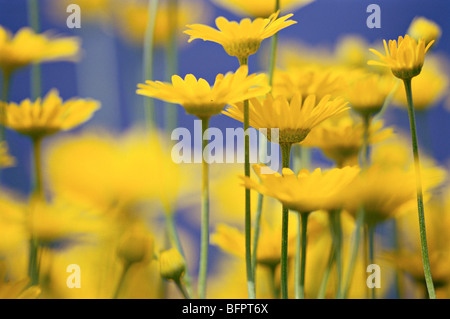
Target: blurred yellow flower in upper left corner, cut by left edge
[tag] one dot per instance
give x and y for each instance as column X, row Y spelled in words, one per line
column 27, row 47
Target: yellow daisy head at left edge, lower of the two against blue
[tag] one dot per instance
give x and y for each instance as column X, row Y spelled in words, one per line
column 47, row 116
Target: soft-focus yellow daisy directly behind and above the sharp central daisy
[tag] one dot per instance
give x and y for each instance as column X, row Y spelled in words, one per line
column 305, row 81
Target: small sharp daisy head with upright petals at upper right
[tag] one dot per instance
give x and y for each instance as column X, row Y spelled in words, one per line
column 405, row 58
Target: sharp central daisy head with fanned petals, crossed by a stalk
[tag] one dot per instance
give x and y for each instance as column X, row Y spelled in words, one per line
column 294, row 118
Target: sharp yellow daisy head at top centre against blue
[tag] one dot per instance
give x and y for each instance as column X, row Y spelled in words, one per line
column 240, row 39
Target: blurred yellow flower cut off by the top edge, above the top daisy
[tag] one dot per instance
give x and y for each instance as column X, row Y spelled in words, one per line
column 260, row 8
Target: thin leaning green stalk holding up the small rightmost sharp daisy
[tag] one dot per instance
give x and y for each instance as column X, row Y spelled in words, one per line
column 420, row 207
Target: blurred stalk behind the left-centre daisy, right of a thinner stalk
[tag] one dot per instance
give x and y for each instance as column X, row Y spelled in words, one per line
column 172, row 62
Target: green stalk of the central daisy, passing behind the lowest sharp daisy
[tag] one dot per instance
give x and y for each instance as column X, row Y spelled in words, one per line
column 285, row 158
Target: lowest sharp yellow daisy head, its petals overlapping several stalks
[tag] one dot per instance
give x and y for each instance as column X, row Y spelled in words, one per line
column 306, row 192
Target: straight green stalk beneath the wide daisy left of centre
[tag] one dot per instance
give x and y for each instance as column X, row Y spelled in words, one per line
column 203, row 269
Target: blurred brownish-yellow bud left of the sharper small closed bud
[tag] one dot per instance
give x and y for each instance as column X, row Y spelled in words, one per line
column 136, row 245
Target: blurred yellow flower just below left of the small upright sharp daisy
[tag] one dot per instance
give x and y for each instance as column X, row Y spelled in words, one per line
column 367, row 93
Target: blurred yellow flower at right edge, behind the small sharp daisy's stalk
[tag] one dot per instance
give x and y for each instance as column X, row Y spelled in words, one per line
column 428, row 87
